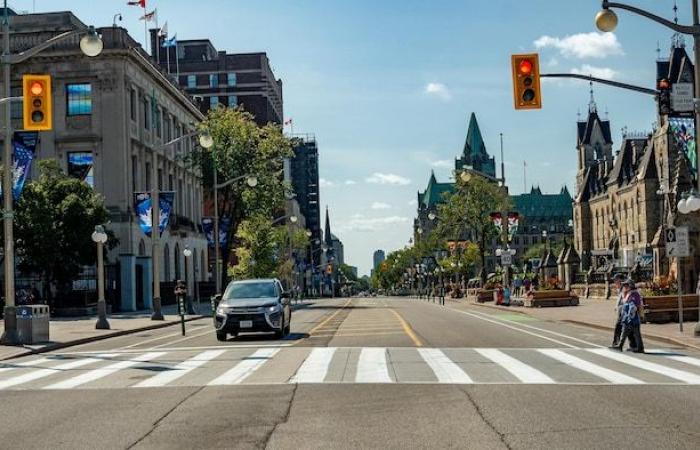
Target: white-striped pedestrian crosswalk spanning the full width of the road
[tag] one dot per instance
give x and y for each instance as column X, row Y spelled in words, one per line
column 294, row 365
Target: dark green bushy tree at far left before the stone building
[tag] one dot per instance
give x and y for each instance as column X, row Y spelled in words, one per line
column 54, row 221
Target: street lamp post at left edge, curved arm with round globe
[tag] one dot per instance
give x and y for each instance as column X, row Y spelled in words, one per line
column 91, row 45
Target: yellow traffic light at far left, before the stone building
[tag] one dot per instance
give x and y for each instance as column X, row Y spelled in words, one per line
column 36, row 92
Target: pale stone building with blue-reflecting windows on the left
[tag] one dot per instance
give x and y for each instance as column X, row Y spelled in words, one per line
column 112, row 113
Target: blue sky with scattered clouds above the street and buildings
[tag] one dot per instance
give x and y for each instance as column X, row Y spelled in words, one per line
column 387, row 87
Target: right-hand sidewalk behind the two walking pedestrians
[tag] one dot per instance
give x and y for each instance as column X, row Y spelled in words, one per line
column 598, row 313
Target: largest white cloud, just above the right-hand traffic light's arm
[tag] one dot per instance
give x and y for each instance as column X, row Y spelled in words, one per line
column 583, row 45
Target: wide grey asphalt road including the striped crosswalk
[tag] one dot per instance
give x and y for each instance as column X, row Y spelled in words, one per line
column 357, row 373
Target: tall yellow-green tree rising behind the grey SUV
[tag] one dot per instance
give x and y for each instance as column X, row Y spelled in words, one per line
column 242, row 148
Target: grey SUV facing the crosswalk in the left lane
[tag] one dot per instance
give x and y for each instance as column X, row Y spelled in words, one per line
column 253, row 306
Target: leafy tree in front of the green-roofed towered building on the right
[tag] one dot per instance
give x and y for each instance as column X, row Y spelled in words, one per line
column 466, row 213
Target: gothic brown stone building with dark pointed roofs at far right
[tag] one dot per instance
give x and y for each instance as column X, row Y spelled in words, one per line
column 624, row 202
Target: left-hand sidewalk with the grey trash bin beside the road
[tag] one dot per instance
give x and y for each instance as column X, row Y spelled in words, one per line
column 68, row 331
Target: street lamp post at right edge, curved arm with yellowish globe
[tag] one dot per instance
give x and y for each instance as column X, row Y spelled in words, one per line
column 606, row 21
